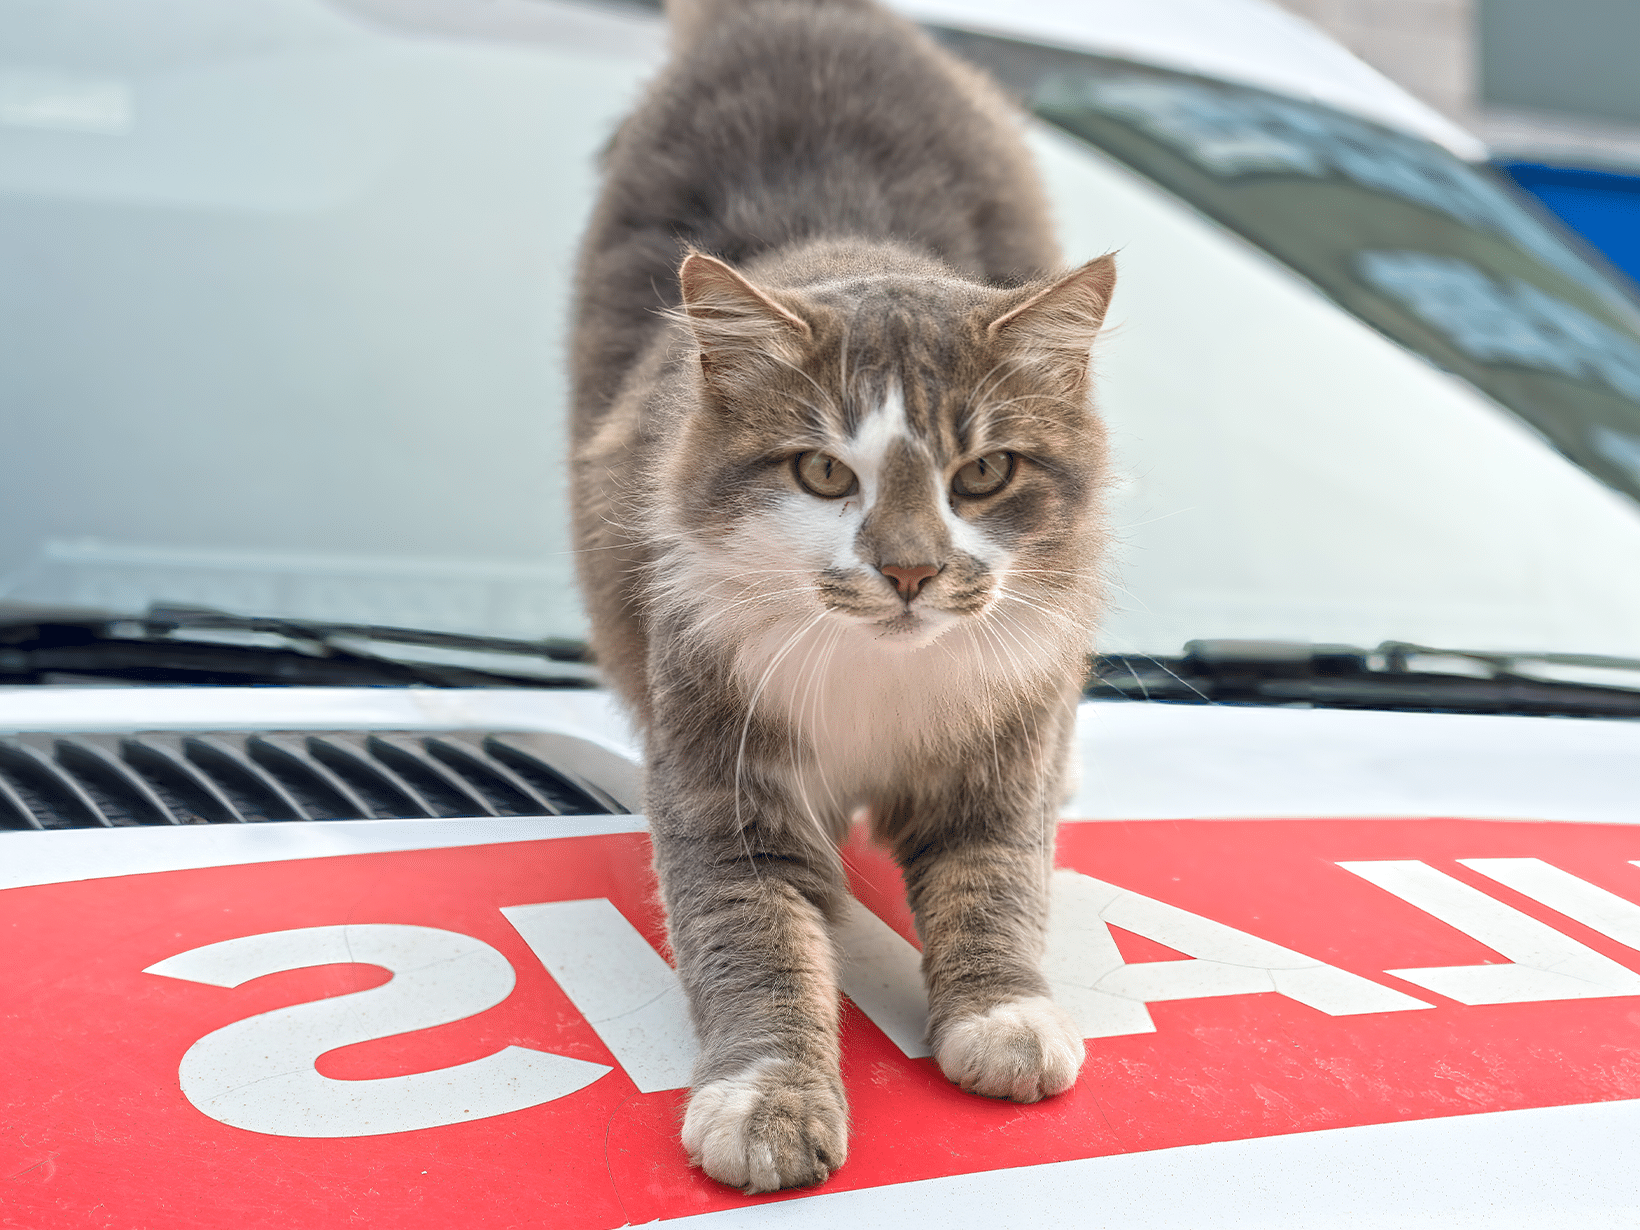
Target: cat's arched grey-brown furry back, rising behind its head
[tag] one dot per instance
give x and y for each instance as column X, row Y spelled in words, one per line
column 788, row 121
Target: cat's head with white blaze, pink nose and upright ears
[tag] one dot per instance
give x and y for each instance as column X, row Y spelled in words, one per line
column 900, row 450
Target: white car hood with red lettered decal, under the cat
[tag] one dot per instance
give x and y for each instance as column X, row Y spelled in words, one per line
column 1331, row 965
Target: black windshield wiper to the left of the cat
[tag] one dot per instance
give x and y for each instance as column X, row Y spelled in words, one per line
column 198, row 645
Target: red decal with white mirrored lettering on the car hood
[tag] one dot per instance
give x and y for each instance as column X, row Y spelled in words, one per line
column 96, row 1124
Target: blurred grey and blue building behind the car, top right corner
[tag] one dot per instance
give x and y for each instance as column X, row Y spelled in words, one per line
column 1552, row 86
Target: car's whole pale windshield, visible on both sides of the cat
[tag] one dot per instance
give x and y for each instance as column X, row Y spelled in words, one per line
column 285, row 288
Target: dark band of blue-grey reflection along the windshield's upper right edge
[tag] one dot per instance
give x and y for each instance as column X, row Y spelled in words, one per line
column 1418, row 244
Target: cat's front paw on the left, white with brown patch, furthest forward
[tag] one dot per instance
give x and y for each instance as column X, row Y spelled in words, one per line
column 768, row 1127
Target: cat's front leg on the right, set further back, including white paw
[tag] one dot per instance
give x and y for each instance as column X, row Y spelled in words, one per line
column 978, row 883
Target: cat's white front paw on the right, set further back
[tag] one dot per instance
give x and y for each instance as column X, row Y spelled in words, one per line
column 1024, row 1050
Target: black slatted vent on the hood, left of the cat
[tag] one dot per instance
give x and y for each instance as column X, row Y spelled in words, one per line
column 225, row 778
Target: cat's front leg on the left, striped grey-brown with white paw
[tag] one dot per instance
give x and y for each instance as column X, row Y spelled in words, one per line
column 747, row 909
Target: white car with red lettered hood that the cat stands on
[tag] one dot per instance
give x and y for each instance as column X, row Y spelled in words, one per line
column 322, row 893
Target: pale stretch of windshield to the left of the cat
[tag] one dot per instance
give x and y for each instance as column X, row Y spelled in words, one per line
column 285, row 291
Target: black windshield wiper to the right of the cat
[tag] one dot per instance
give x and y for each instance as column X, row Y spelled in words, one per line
column 1395, row 676
